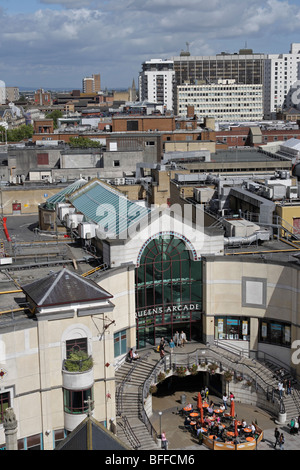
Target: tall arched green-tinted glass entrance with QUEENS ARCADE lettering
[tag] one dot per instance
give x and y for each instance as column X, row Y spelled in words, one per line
column 168, row 292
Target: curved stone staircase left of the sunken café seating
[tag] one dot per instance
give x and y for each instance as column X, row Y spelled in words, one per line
column 129, row 378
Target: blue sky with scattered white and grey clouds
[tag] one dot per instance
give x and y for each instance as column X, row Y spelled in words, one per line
column 55, row 43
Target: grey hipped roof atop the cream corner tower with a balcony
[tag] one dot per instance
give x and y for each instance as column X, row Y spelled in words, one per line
column 64, row 287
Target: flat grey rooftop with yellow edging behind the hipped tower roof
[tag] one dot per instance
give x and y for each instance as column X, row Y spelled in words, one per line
column 34, row 257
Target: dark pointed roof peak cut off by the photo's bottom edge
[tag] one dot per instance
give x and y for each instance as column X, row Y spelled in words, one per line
column 91, row 435
